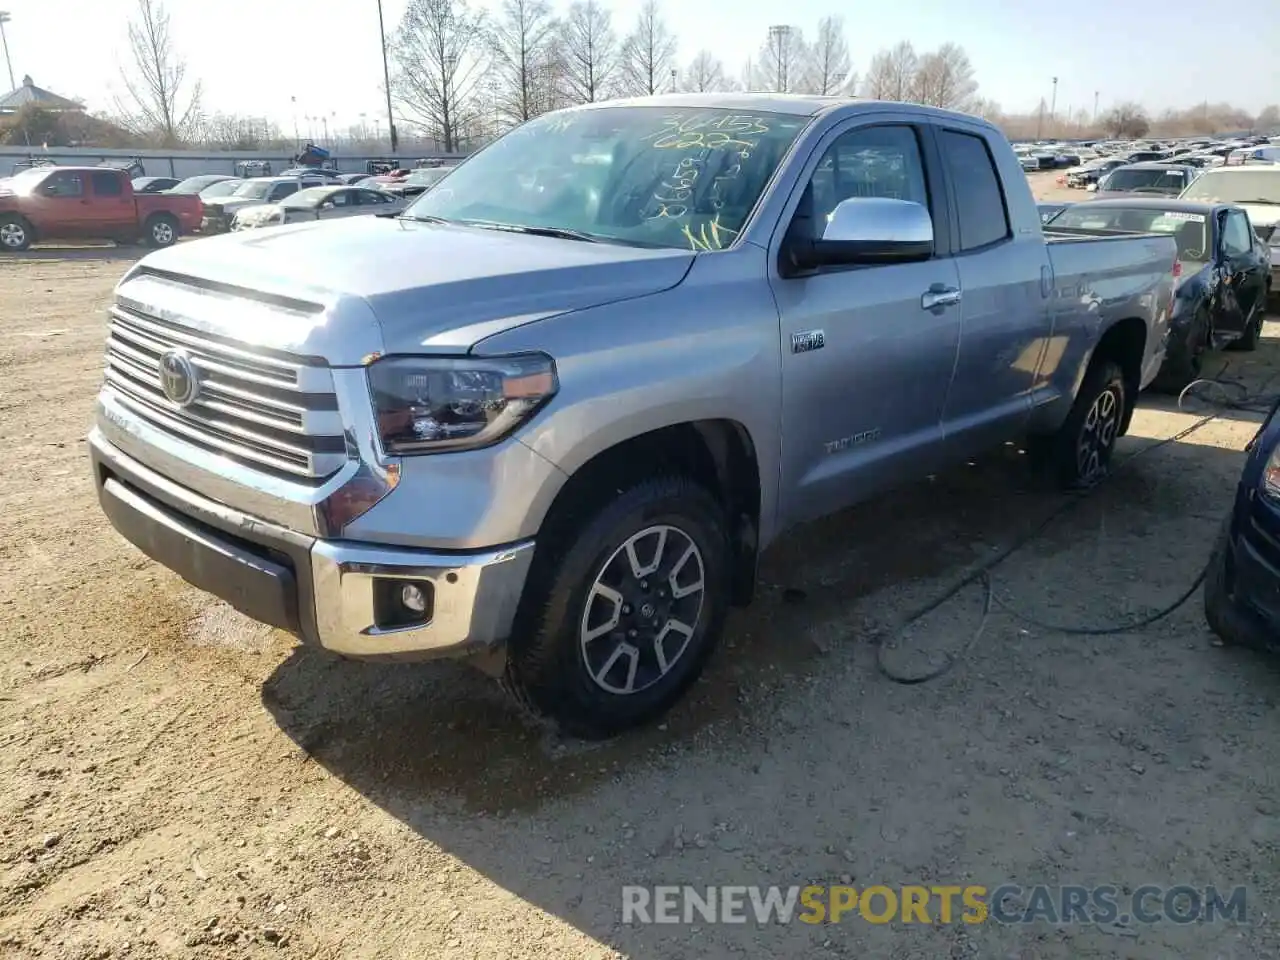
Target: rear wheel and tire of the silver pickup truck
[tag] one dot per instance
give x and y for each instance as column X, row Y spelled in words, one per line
column 1094, row 423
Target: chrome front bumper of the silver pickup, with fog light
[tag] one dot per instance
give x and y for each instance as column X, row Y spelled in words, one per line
column 324, row 592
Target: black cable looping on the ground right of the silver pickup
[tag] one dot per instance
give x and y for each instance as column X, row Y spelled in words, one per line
column 1260, row 404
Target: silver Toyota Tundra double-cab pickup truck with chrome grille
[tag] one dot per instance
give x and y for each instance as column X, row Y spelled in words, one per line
column 550, row 419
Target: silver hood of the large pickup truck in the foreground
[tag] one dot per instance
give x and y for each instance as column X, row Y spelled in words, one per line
column 383, row 285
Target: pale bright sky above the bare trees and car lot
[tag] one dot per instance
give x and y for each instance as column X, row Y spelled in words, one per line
column 254, row 56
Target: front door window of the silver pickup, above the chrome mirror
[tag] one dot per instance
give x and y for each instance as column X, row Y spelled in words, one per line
column 871, row 162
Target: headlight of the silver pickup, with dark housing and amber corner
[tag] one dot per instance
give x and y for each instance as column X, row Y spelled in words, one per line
column 428, row 405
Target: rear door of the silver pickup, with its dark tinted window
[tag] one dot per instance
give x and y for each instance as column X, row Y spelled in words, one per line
column 1004, row 314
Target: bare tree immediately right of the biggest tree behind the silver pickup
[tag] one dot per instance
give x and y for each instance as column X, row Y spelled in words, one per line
column 524, row 49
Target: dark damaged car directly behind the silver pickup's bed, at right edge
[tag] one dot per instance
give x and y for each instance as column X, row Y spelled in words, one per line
column 1224, row 273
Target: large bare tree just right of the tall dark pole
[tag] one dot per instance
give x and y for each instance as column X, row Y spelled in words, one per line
column 441, row 62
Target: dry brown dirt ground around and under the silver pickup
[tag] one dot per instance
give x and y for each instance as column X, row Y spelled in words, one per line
column 176, row 781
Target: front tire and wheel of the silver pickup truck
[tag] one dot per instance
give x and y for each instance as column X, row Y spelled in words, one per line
column 560, row 673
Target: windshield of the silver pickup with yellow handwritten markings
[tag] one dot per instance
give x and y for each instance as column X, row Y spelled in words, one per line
column 661, row 177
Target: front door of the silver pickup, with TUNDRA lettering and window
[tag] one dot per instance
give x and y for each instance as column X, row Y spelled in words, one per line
column 868, row 351
